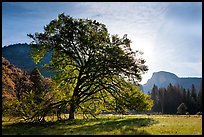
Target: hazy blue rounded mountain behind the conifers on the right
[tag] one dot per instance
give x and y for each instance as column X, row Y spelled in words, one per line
column 162, row 79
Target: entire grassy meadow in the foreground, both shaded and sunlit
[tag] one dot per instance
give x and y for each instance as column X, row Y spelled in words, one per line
column 110, row 125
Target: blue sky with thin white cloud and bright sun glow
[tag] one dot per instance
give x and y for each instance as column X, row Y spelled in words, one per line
column 169, row 34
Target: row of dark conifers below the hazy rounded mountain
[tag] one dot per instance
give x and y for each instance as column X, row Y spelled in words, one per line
column 167, row 100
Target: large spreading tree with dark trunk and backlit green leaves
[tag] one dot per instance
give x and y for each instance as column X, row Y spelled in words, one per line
column 87, row 60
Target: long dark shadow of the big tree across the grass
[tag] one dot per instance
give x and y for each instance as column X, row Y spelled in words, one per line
column 122, row 126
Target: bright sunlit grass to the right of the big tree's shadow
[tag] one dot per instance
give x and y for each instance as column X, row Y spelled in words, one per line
column 176, row 125
